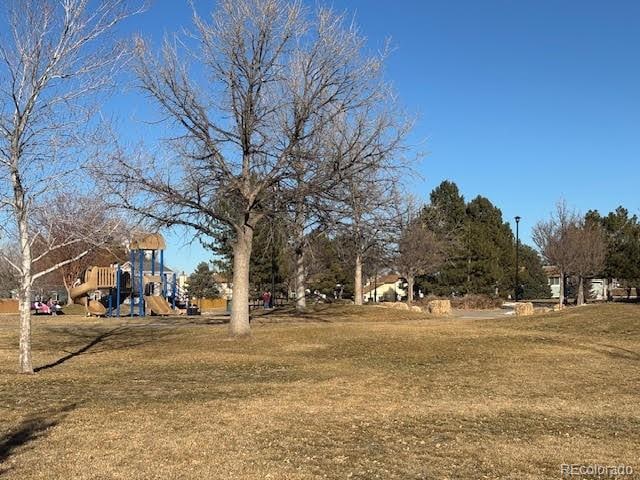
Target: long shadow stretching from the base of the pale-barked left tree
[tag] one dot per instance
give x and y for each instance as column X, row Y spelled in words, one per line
column 114, row 339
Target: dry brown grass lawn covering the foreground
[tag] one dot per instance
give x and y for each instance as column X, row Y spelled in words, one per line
column 345, row 392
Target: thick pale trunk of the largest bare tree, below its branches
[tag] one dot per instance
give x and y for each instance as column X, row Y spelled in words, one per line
column 239, row 324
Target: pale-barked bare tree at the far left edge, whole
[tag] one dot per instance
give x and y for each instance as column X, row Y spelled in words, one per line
column 53, row 57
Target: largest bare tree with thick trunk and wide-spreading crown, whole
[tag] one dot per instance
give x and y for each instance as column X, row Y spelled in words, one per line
column 273, row 80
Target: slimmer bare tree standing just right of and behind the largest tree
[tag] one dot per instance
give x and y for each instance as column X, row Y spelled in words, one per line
column 317, row 168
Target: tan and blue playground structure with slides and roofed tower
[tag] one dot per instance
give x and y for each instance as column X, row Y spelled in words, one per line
column 104, row 289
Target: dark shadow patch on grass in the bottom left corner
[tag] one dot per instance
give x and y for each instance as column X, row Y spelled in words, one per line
column 29, row 430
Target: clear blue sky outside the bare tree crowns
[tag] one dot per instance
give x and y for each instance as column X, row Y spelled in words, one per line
column 523, row 102
